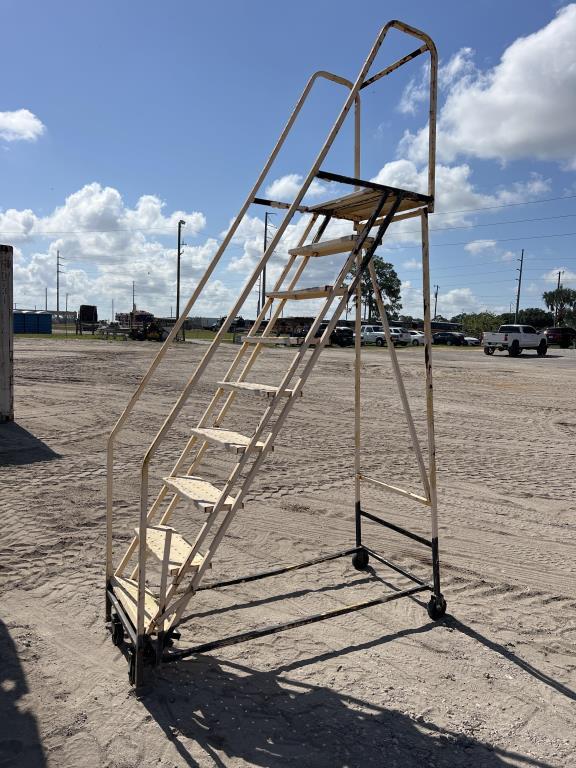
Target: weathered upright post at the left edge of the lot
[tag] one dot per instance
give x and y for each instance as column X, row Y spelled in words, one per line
column 6, row 335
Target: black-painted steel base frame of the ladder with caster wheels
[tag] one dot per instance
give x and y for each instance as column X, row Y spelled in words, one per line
column 160, row 651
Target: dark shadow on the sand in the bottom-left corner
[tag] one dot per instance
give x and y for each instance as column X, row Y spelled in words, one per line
column 20, row 745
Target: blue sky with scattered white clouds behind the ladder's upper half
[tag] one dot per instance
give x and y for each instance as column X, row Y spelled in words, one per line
column 117, row 119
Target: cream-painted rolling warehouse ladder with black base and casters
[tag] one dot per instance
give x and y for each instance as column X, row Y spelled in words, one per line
column 145, row 619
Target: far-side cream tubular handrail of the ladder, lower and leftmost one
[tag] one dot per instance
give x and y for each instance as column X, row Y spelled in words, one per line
column 193, row 298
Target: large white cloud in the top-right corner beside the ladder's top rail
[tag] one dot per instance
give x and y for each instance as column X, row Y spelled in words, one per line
column 523, row 107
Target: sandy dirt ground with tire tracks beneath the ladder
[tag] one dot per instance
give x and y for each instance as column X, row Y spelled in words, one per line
column 493, row 684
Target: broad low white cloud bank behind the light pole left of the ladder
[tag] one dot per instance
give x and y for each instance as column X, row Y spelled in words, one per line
column 104, row 245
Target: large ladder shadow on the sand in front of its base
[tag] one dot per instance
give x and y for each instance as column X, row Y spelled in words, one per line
column 216, row 711
